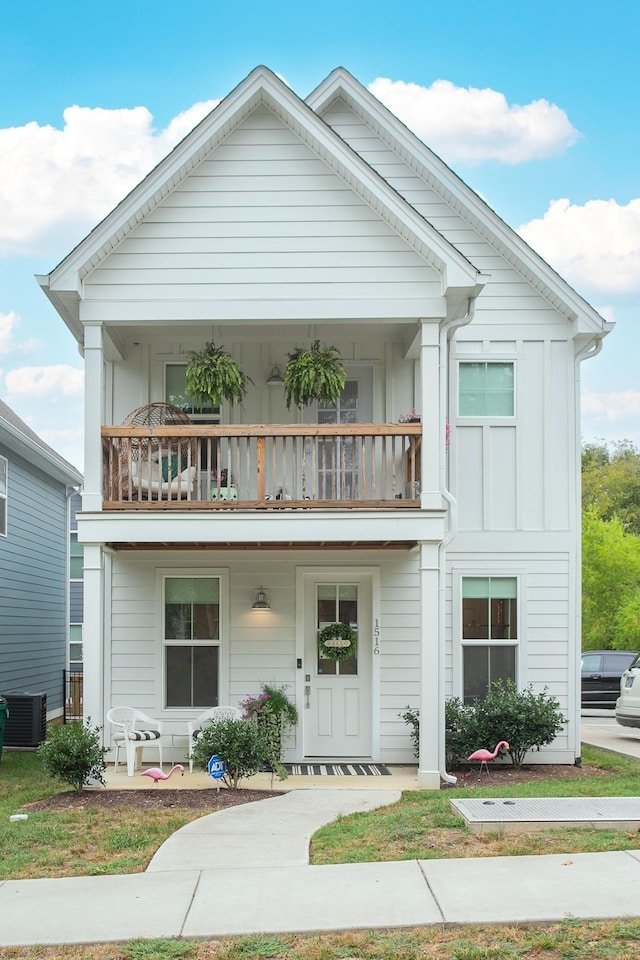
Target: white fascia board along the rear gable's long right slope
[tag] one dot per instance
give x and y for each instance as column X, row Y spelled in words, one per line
column 462, row 199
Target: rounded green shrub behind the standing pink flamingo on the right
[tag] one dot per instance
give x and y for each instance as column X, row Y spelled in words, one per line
column 524, row 718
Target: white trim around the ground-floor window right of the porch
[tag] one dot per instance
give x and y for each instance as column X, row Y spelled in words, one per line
column 492, row 573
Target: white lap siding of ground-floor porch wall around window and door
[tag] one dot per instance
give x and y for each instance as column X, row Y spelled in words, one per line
column 262, row 651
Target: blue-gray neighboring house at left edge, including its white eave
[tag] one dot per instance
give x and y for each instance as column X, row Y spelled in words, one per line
column 36, row 484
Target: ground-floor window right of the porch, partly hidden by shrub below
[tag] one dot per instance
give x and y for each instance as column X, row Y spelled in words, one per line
column 489, row 633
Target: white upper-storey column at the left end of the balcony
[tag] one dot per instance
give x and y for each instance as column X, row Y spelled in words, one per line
column 93, row 416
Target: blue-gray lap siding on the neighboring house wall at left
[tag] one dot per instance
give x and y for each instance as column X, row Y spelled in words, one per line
column 33, row 584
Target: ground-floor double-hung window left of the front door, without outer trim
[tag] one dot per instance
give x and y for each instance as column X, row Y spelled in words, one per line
column 191, row 641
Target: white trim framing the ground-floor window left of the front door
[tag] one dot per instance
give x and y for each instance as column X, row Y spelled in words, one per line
column 222, row 574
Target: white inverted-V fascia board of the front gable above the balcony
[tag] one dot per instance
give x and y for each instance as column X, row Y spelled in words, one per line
column 262, row 86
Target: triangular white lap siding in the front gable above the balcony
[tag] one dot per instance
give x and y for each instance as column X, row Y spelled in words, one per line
column 263, row 218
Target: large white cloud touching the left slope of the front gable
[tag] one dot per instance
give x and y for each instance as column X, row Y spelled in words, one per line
column 55, row 185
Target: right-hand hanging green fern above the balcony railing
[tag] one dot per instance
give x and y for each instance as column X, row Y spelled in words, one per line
column 312, row 374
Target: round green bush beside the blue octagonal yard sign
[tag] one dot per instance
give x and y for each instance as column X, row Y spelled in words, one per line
column 241, row 744
